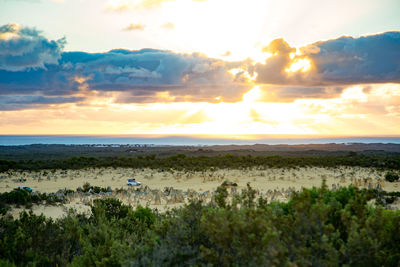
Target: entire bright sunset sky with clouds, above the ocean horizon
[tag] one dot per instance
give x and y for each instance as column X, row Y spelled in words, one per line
column 200, row 67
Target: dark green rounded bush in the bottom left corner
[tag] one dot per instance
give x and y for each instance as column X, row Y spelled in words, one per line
column 35, row 240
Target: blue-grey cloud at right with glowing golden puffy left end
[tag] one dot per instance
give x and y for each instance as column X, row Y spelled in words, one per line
column 346, row 60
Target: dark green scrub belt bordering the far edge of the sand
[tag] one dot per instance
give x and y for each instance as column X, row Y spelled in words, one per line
column 199, row 163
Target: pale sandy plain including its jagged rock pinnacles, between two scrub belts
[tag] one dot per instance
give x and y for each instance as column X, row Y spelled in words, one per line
column 271, row 183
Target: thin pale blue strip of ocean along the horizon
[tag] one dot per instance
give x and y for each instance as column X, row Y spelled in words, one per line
column 12, row 140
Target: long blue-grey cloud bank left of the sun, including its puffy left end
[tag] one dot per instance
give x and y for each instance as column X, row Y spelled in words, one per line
column 137, row 76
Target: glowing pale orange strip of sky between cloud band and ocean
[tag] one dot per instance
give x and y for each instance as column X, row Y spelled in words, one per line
column 352, row 113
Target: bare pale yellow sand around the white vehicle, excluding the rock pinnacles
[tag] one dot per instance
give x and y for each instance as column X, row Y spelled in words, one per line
column 259, row 178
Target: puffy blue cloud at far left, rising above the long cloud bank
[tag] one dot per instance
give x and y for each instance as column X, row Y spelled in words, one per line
column 23, row 48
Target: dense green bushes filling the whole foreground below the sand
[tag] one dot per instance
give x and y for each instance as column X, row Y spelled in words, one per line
column 316, row 227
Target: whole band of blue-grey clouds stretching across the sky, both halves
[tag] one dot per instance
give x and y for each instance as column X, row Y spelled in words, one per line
column 35, row 68
